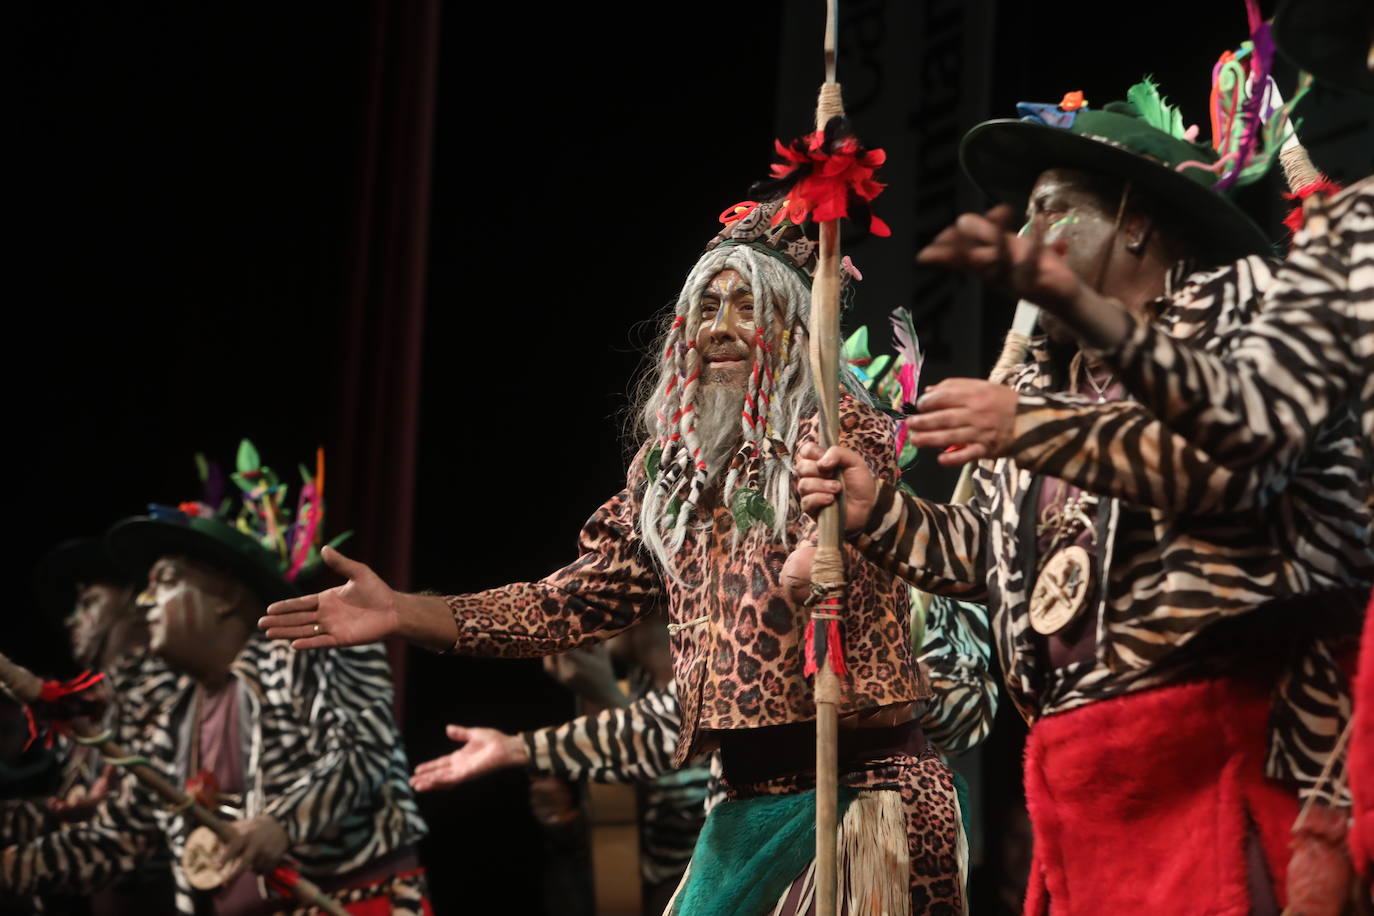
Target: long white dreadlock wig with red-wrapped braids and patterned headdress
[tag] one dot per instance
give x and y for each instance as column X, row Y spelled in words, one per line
column 770, row 264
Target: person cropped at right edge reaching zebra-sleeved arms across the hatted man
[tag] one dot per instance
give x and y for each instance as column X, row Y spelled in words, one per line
column 1257, row 409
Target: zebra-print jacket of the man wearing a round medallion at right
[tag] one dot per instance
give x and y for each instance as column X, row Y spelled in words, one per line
column 1186, row 542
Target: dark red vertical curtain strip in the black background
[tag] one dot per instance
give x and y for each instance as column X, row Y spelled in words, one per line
column 384, row 308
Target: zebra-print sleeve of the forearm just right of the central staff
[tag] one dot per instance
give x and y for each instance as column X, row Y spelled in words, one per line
column 936, row 547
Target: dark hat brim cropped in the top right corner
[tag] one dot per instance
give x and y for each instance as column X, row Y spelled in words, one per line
column 1329, row 39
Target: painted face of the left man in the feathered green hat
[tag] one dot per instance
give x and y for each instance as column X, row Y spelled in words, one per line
column 186, row 604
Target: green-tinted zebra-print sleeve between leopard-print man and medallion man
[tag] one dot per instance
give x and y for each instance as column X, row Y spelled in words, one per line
column 958, row 656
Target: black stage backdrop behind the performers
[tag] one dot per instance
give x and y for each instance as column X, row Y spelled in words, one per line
column 429, row 240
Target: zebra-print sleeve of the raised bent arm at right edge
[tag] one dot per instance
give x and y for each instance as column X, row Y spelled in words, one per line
column 1309, row 354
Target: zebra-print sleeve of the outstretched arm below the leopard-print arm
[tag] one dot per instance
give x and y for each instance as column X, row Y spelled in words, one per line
column 629, row 745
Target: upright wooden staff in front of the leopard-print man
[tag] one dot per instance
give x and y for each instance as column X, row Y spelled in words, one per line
column 828, row 569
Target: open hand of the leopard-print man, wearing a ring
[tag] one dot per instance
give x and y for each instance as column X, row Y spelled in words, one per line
column 363, row 610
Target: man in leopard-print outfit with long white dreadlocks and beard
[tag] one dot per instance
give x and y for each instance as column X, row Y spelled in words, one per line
column 710, row 525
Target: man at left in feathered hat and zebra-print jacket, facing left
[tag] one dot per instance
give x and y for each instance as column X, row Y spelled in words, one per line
column 302, row 752
